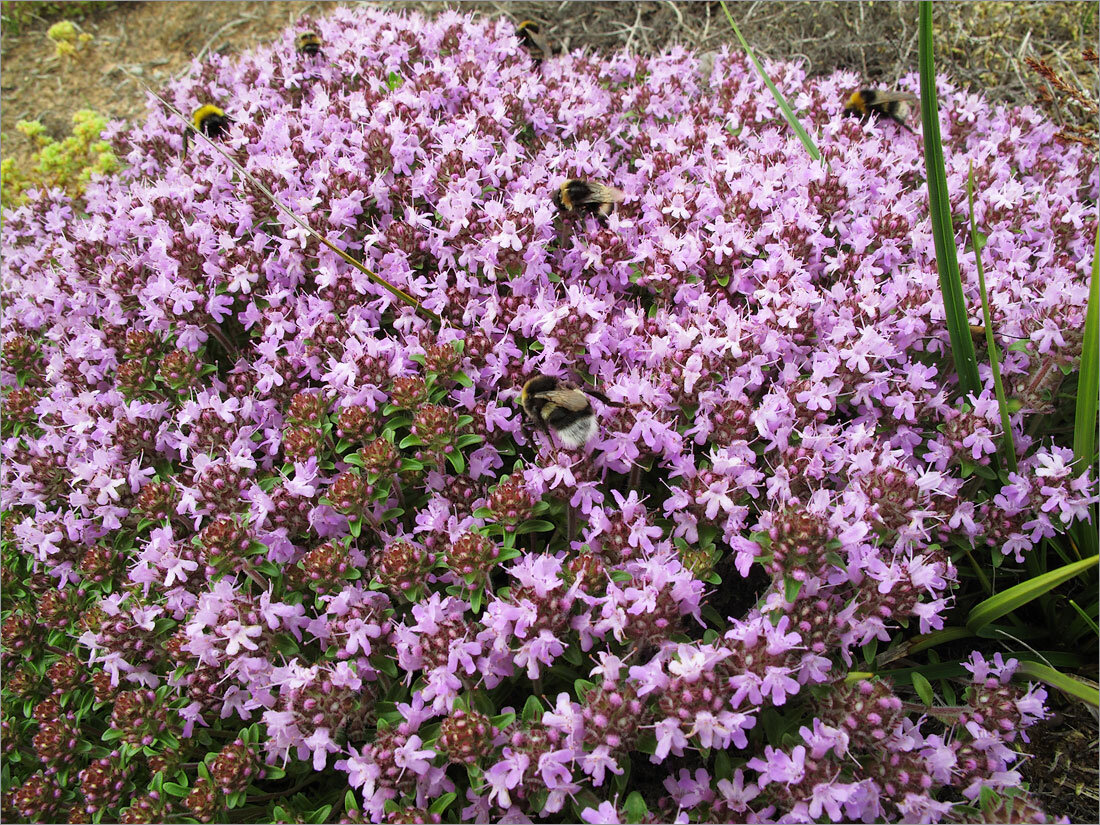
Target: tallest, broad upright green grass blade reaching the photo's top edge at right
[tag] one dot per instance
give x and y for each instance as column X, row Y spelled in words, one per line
column 940, row 212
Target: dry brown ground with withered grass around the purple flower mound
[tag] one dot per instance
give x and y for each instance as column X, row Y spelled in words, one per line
column 984, row 45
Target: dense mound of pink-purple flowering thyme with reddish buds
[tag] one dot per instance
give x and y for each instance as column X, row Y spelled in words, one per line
column 282, row 549
